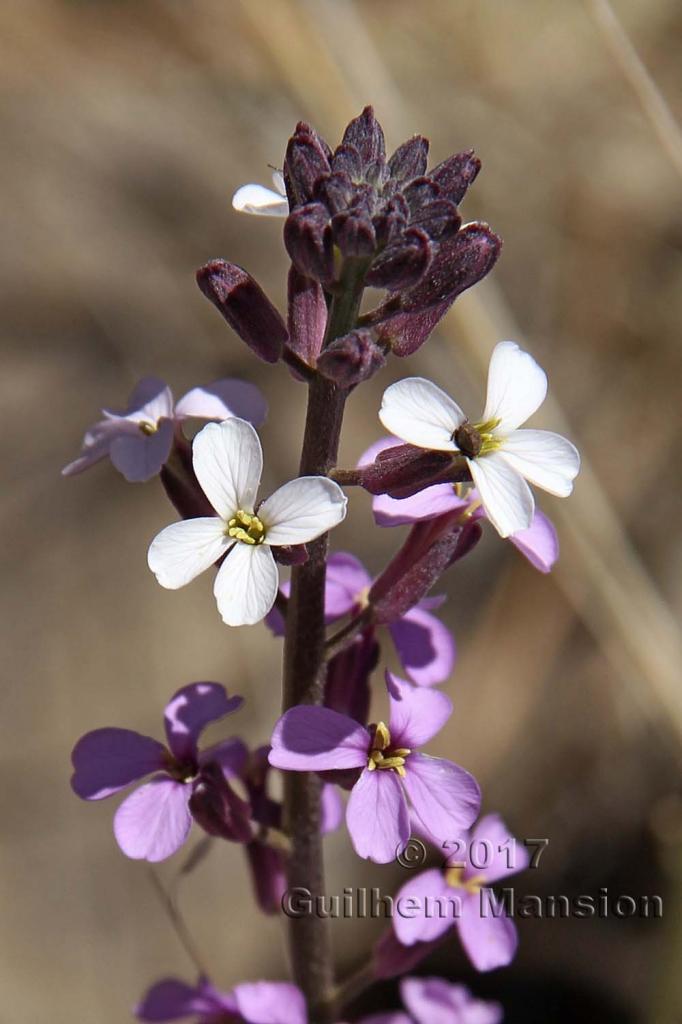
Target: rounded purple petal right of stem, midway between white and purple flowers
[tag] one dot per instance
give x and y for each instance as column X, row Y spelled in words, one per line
column 425, row 647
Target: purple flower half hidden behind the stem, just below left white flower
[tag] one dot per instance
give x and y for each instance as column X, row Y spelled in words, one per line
column 425, row 647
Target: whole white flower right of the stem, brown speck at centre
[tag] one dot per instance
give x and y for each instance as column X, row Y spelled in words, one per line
column 500, row 457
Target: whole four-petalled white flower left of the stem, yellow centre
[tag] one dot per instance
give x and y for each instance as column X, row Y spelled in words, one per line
column 229, row 460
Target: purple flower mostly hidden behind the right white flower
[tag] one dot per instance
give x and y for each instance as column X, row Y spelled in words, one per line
column 539, row 543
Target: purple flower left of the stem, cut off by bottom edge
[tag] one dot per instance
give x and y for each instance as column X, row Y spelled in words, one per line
column 253, row 1003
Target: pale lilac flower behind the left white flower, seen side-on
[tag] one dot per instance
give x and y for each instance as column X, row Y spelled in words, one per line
column 139, row 441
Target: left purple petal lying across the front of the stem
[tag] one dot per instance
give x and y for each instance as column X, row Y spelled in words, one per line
column 310, row 739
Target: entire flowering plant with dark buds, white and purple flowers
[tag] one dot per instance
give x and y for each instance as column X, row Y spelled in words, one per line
column 353, row 219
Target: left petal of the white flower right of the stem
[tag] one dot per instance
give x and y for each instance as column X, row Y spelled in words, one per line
column 421, row 414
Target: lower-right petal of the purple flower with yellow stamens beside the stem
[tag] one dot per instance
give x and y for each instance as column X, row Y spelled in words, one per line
column 445, row 797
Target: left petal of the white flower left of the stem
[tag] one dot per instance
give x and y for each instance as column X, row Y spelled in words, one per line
column 181, row 552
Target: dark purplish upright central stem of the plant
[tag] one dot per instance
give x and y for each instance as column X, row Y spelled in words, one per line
column 305, row 670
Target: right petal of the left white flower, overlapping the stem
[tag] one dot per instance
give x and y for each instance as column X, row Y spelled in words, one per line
column 302, row 510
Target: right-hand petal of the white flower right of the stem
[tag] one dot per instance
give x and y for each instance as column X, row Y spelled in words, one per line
column 545, row 459
